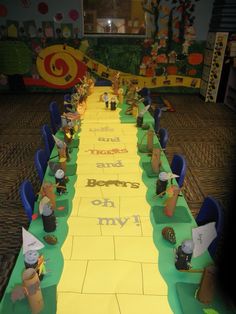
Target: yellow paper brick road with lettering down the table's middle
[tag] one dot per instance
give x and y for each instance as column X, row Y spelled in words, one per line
column 110, row 261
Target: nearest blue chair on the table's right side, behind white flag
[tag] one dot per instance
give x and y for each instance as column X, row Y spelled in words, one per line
column 211, row 211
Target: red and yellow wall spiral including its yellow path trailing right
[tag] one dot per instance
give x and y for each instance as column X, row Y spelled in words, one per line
column 62, row 66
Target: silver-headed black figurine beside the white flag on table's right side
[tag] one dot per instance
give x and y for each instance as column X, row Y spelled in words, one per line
column 183, row 255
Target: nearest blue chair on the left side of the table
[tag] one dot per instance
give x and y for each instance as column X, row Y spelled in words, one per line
column 27, row 198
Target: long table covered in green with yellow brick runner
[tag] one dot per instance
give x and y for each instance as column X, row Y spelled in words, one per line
column 111, row 256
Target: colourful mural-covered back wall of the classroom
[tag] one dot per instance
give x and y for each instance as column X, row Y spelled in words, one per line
column 152, row 60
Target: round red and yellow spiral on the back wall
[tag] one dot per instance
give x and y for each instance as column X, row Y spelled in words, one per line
column 59, row 66
